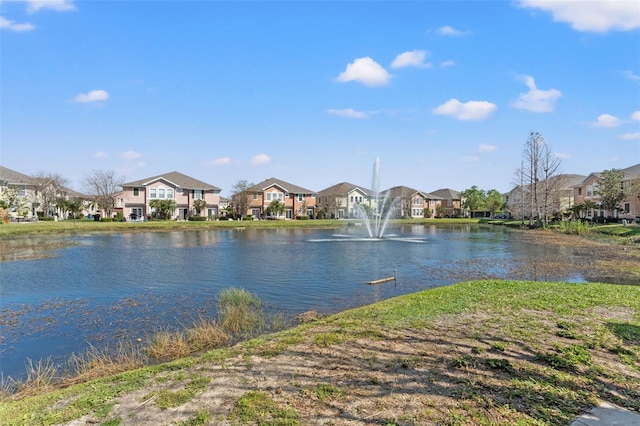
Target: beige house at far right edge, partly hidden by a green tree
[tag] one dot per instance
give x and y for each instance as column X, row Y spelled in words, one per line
column 586, row 193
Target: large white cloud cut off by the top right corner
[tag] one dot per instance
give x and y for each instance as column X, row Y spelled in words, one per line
column 591, row 16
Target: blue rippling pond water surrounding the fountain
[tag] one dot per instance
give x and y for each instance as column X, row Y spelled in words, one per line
column 126, row 286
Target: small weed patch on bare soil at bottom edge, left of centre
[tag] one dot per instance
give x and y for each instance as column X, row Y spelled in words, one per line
column 258, row 408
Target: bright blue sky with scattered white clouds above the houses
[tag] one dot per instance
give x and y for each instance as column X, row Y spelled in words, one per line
column 445, row 93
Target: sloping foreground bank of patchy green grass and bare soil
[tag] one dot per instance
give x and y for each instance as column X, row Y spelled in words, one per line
column 484, row 352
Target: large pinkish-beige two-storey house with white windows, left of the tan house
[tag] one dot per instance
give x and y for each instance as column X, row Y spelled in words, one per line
column 134, row 200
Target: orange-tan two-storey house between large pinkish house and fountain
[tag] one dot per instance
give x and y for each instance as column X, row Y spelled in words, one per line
column 297, row 201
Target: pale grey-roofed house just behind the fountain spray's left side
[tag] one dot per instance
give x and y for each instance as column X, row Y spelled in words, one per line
column 343, row 200
